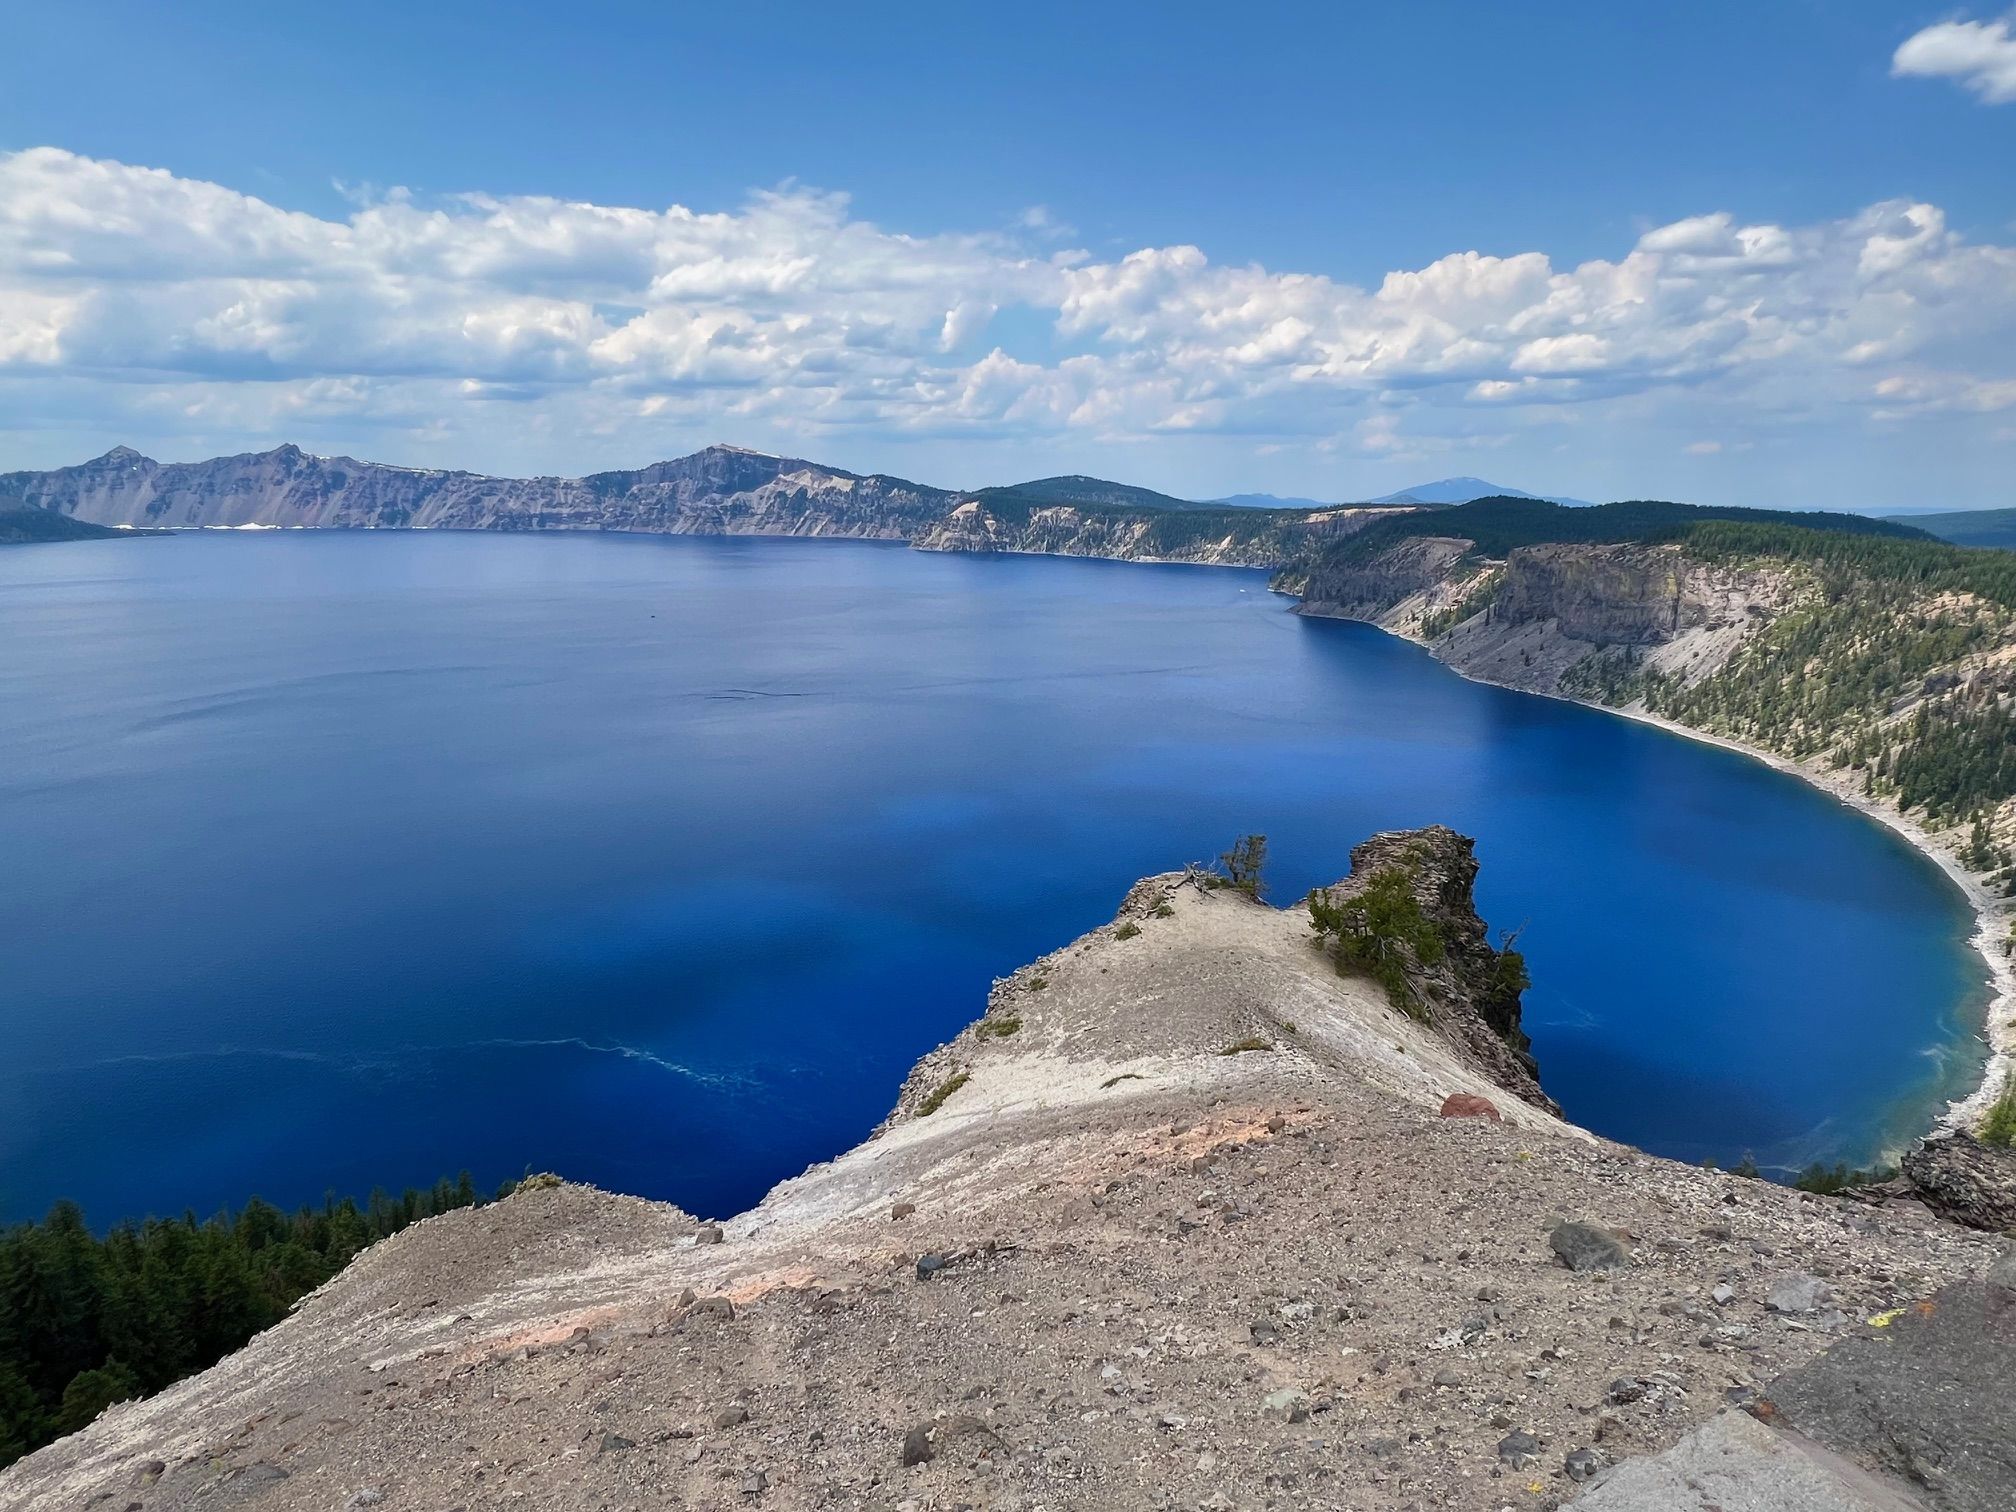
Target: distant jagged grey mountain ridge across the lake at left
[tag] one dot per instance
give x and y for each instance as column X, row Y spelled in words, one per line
column 721, row 491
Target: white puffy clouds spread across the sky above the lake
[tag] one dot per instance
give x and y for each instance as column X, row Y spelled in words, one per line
column 138, row 299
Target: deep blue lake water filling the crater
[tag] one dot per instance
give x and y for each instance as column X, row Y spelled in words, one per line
column 334, row 862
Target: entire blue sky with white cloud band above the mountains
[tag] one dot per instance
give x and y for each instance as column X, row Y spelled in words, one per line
column 953, row 243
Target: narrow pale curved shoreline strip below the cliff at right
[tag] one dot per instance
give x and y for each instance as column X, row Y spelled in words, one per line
column 1991, row 914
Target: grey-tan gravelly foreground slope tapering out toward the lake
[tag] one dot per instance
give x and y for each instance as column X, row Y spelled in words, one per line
column 1182, row 1223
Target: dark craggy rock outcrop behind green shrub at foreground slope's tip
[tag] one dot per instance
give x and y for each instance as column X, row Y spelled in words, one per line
column 1473, row 995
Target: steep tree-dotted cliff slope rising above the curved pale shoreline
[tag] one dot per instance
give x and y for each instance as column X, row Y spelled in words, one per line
column 1890, row 662
